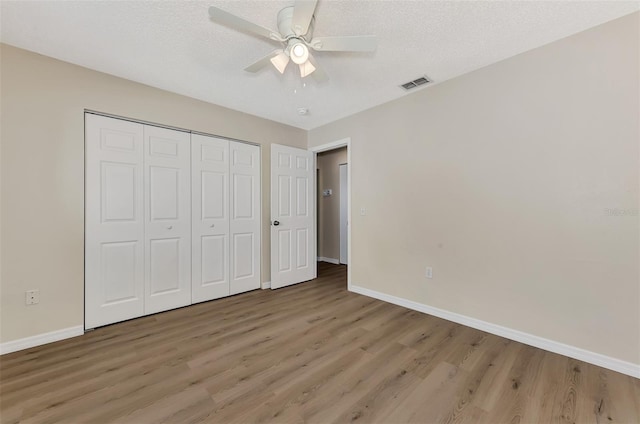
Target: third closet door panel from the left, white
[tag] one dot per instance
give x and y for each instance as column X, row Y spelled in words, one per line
column 210, row 218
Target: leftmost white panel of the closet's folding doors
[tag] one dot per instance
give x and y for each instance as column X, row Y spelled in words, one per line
column 114, row 243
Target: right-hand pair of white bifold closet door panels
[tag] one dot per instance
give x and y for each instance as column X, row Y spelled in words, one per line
column 225, row 217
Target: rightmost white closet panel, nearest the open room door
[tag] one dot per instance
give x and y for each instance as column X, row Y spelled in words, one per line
column 244, row 225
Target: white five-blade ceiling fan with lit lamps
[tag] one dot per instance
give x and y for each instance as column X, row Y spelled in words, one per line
column 295, row 32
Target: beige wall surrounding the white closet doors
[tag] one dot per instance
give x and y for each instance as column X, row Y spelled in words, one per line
column 43, row 175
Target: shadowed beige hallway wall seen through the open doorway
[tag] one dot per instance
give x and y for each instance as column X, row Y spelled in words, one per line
column 329, row 207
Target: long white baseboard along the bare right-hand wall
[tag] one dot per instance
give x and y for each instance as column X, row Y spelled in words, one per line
column 594, row 358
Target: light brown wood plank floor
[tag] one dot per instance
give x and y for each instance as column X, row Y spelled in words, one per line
column 308, row 353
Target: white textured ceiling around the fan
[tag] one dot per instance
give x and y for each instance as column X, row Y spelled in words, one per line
column 174, row 46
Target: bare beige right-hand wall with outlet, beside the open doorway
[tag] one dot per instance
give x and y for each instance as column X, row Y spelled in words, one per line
column 501, row 180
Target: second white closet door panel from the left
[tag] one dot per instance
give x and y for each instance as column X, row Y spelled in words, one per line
column 167, row 219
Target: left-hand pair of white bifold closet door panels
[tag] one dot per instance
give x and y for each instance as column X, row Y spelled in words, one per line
column 138, row 220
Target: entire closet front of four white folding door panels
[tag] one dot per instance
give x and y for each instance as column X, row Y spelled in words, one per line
column 171, row 218
